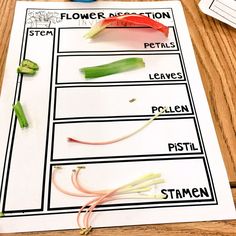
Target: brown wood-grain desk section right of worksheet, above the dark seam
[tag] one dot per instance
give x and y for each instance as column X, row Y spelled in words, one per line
column 215, row 46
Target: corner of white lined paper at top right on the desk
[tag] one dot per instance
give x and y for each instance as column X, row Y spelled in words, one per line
column 223, row 10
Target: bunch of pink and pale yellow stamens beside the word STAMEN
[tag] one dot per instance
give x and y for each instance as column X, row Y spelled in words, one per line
column 138, row 187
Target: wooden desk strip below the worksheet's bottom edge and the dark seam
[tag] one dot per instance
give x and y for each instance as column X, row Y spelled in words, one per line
column 219, row 228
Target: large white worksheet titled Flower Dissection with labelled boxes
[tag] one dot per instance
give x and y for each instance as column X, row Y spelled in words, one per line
column 59, row 102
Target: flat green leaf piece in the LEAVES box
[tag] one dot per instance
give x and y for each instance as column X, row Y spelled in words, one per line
column 113, row 68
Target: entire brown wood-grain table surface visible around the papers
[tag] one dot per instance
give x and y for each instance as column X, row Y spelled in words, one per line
column 215, row 48
